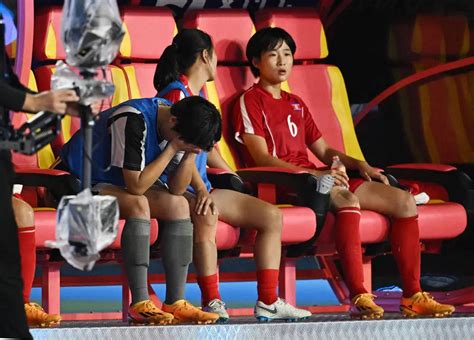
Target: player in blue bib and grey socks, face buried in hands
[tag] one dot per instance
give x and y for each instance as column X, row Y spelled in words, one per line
column 136, row 144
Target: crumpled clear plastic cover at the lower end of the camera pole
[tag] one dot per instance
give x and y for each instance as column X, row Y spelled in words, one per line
column 85, row 225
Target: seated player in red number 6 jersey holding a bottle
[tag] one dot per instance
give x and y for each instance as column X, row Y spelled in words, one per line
column 275, row 128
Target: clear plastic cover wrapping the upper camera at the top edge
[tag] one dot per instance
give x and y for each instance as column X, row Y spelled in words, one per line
column 91, row 32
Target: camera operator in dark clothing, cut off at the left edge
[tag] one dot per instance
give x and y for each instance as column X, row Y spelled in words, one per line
column 14, row 96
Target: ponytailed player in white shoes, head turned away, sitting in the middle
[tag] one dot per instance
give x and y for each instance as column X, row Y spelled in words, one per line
column 184, row 68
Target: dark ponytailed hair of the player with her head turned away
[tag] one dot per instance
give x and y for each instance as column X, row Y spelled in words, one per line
column 180, row 55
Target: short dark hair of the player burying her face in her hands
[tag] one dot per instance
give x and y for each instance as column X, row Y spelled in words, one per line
column 198, row 122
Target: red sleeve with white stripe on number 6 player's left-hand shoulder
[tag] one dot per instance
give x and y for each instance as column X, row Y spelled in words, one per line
column 248, row 116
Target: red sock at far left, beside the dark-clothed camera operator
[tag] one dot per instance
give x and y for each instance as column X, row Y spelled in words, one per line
column 26, row 239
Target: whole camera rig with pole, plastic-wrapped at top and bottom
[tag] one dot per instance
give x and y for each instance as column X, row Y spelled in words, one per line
column 91, row 32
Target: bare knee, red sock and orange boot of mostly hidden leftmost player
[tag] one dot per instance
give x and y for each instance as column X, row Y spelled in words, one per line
column 24, row 216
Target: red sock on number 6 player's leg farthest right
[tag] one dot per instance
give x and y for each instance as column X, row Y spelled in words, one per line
column 405, row 240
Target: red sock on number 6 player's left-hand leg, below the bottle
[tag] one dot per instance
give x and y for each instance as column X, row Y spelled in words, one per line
column 348, row 246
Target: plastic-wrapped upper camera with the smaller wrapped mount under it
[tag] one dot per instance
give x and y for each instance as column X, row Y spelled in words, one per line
column 91, row 32
